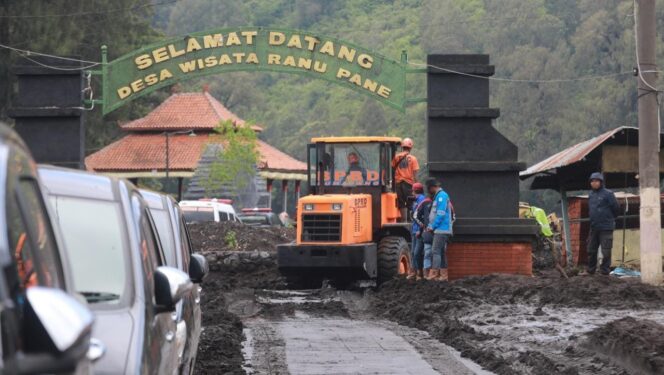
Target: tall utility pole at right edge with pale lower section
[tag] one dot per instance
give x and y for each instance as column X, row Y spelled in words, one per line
column 650, row 217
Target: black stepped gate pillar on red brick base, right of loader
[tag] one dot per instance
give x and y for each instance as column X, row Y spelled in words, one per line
column 478, row 167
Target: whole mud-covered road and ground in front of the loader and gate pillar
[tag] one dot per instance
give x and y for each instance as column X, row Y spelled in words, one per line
column 256, row 323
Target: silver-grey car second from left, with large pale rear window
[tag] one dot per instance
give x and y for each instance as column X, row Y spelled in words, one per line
column 119, row 268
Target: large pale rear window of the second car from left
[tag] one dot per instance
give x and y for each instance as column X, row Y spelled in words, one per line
column 95, row 242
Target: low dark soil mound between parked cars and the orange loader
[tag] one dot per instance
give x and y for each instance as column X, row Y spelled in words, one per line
column 231, row 236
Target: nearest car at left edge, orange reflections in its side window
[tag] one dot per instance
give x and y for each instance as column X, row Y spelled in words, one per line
column 43, row 327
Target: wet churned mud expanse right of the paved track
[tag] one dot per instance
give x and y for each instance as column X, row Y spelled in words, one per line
column 524, row 325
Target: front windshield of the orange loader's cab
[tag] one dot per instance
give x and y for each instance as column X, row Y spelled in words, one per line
column 347, row 164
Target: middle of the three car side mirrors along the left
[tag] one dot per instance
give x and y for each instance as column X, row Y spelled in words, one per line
column 170, row 285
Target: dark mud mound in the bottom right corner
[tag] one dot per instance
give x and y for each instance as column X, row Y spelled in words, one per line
column 636, row 344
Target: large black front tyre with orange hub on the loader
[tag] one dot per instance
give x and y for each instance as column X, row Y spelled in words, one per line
column 393, row 258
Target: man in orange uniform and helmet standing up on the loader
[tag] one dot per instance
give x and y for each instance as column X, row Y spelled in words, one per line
column 405, row 175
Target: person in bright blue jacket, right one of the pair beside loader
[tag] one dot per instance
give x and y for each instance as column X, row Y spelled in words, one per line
column 440, row 224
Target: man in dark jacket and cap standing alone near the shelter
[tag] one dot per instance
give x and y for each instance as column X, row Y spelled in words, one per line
column 604, row 210
